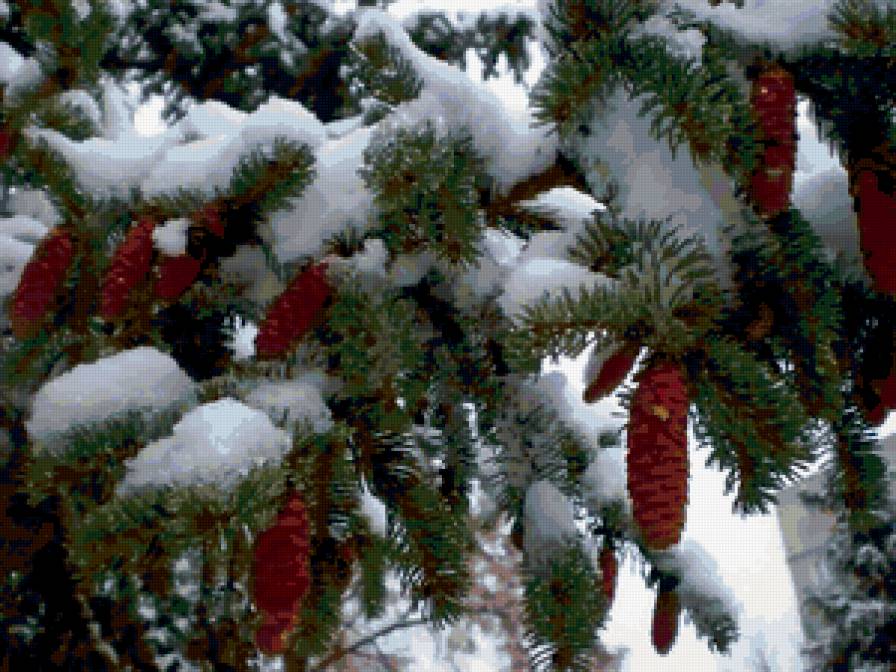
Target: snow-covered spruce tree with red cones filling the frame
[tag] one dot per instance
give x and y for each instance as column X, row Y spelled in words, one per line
column 180, row 491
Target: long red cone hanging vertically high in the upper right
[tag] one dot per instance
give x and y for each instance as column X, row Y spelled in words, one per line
column 773, row 102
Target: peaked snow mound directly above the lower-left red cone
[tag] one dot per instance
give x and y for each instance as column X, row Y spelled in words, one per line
column 215, row 443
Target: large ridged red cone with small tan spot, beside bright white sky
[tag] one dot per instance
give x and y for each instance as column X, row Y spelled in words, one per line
column 657, row 457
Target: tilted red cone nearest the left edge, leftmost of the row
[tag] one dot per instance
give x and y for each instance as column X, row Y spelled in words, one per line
column 40, row 282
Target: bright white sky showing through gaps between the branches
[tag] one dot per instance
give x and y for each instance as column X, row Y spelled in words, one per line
column 749, row 552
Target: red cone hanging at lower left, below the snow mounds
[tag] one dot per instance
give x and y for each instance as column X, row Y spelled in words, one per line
column 281, row 573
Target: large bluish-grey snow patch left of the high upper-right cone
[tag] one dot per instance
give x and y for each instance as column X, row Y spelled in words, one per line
column 652, row 184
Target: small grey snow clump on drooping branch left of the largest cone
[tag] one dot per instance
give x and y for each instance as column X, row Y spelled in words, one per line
column 549, row 522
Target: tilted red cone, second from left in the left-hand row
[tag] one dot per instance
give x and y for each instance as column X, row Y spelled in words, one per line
column 131, row 263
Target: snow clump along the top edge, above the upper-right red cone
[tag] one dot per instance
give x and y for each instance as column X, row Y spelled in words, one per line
column 786, row 24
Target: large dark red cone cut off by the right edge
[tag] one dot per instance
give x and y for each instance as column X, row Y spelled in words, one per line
column 876, row 208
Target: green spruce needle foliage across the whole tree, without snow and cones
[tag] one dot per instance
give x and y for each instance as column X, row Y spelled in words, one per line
column 428, row 395
